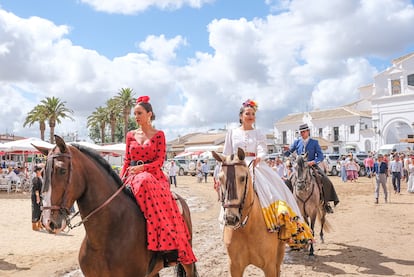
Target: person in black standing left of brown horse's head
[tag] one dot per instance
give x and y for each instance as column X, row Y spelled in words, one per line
column 37, row 182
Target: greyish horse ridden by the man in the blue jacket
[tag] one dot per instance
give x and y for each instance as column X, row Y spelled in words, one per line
column 308, row 196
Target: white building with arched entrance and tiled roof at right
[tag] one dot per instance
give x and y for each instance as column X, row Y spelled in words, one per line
column 383, row 115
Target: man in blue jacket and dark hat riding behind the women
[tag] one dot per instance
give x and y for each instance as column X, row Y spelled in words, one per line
column 305, row 144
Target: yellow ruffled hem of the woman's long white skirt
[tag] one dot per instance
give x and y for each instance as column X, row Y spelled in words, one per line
column 279, row 217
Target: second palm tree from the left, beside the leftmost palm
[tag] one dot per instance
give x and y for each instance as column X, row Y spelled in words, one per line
column 55, row 111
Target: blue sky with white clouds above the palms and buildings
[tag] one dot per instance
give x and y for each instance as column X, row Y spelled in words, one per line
column 198, row 60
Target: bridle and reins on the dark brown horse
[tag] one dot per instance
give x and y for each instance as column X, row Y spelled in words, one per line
column 64, row 210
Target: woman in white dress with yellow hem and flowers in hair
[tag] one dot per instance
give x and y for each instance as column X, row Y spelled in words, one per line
column 279, row 206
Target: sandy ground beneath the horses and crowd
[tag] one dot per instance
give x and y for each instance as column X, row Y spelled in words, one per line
column 365, row 239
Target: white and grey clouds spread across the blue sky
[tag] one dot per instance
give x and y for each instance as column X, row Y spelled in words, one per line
column 300, row 58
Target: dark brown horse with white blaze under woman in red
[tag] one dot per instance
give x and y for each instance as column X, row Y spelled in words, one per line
column 115, row 242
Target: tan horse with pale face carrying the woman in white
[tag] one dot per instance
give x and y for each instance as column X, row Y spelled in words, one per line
column 245, row 233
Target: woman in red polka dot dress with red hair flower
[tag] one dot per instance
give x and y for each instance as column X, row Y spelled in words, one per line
column 166, row 229
